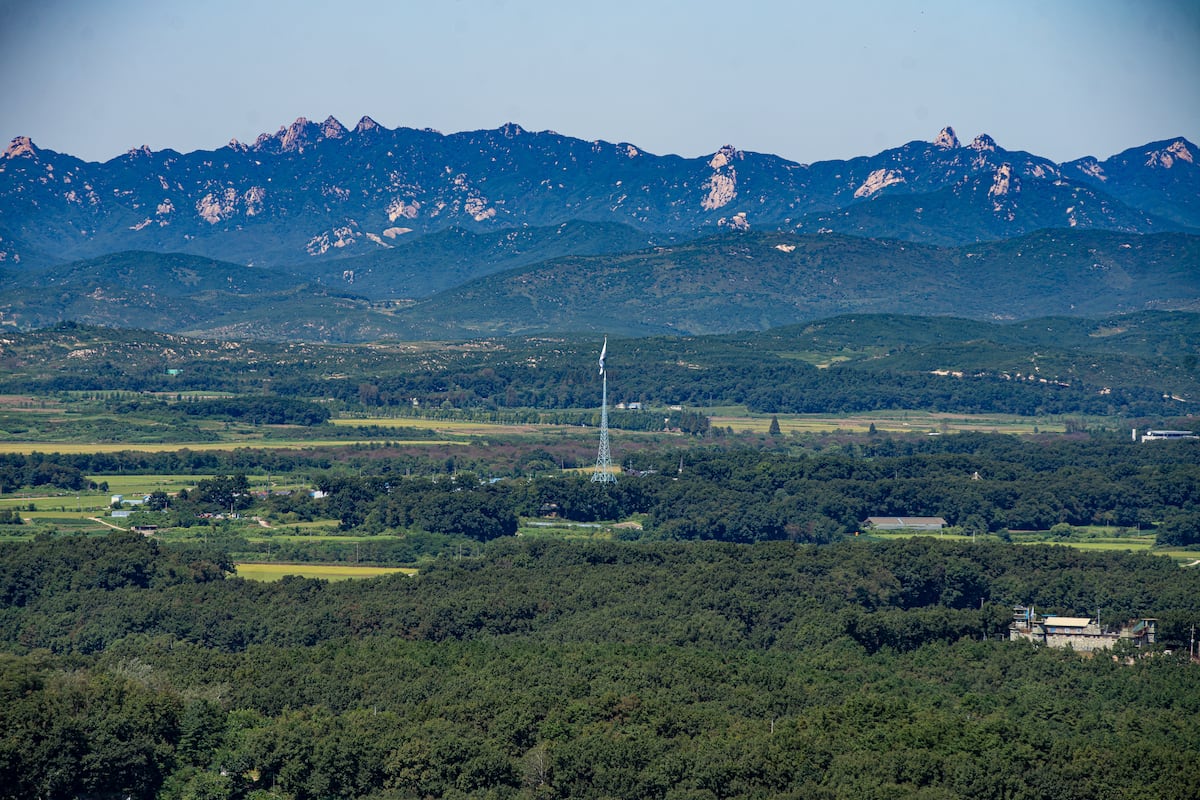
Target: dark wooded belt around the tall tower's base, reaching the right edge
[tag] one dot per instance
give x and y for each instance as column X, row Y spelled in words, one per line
column 976, row 482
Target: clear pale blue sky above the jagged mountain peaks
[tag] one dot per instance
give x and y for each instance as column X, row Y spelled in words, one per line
column 807, row 81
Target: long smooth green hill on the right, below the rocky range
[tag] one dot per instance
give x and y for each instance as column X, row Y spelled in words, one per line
column 739, row 282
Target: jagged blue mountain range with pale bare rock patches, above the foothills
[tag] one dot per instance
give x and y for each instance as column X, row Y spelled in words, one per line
column 315, row 193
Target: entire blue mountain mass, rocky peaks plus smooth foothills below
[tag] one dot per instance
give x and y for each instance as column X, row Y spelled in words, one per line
column 358, row 232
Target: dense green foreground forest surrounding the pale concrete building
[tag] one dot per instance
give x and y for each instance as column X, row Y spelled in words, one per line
column 559, row 670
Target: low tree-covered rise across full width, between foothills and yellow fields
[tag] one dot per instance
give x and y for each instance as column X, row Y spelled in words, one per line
column 1136, row 365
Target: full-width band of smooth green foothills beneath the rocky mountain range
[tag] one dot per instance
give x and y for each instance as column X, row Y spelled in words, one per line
column 722, row 284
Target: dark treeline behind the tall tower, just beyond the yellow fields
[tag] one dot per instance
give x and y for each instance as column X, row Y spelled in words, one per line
column 765, row 383
